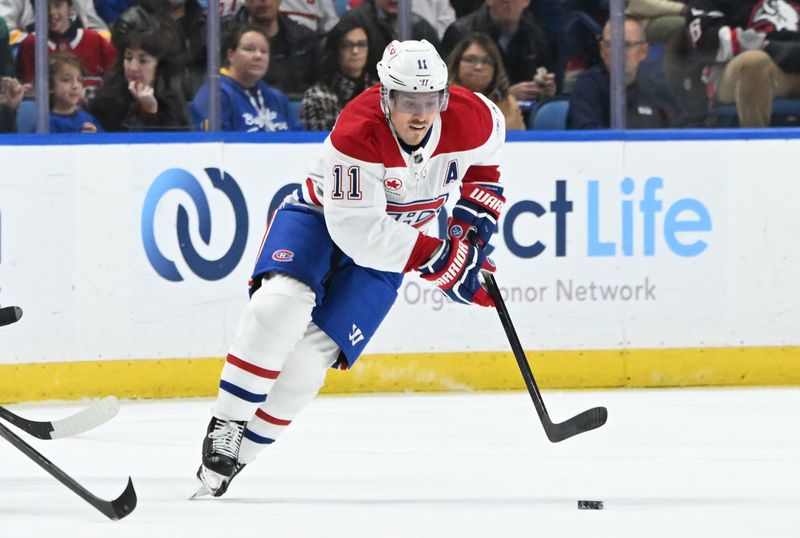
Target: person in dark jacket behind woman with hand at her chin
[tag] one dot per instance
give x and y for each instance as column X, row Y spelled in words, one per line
column 191, row 21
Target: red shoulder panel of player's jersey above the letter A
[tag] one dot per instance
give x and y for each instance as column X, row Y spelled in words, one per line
column 466, row 124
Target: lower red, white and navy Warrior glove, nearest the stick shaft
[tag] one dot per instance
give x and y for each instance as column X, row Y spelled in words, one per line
column 455, row 268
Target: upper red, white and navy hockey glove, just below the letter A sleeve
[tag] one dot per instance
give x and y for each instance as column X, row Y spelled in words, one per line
column 479, row 207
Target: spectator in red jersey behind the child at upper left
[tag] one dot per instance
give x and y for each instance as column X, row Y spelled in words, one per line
column 65, row 33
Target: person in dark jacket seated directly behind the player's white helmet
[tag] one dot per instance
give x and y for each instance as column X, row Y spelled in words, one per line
column 379, row 18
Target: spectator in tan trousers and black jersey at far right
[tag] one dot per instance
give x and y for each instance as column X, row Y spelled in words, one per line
column 750, row 54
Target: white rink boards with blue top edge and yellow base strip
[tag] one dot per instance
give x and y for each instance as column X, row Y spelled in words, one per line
column 666, row 260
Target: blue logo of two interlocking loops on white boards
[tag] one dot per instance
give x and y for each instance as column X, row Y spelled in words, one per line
column 177, row 178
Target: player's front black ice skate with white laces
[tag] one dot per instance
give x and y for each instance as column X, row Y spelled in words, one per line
column 220, row 450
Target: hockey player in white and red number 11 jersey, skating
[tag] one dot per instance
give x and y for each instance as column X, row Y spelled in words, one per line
column 336, row 251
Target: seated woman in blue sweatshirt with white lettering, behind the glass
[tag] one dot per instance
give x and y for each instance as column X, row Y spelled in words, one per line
column 247, row 102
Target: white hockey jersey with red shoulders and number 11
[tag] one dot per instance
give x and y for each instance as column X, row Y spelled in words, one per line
column 378, row 200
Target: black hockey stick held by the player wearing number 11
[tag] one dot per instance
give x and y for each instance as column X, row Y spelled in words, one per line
column 583, row 422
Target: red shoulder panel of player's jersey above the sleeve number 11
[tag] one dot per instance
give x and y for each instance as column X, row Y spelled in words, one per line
column 361, row 132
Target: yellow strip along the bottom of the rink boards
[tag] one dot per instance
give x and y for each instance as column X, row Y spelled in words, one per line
column 178, row 378
